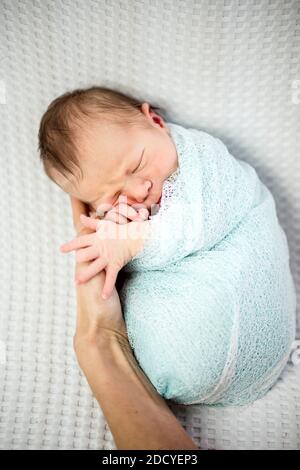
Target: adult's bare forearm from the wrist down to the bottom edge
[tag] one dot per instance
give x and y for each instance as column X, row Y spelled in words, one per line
column 137, row 415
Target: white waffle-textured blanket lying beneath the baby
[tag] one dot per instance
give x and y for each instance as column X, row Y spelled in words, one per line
column 228, row 67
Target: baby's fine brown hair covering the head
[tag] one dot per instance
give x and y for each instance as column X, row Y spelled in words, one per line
column 58, row 133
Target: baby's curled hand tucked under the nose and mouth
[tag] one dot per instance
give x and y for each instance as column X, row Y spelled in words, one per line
column 121, row 212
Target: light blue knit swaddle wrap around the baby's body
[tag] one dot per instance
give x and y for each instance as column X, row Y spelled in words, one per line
column 209, row 303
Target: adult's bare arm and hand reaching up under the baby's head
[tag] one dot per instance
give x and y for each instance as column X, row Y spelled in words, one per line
column 137, row 415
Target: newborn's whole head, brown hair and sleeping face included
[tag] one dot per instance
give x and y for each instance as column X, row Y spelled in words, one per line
column 97, row 143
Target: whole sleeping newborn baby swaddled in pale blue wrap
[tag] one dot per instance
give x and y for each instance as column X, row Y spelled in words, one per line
column 208, row 297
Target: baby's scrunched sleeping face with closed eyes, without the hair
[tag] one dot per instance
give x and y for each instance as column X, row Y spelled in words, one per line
column 116, row 161
